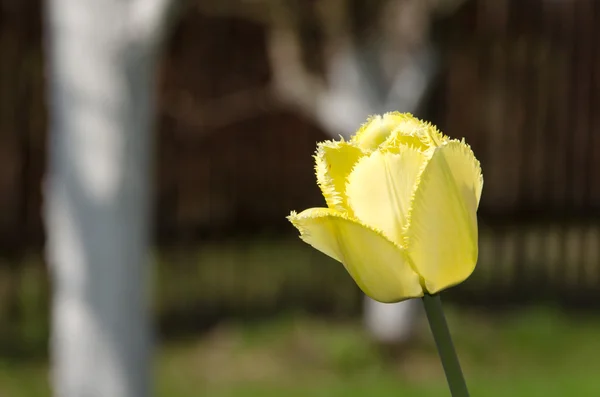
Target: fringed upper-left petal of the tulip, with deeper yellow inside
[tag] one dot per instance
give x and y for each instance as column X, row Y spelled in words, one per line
column 333, row 163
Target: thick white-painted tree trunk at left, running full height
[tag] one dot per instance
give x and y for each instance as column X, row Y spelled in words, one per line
column 102, row 59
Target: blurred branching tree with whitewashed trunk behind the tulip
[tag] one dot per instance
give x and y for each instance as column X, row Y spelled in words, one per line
column 390, row 73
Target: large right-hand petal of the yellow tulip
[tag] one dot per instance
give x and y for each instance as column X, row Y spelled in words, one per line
column 441, row 237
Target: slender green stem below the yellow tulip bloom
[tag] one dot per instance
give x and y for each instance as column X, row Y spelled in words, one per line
column 443, row 341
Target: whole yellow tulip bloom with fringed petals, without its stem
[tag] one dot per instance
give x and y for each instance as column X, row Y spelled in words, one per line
column 401, row 208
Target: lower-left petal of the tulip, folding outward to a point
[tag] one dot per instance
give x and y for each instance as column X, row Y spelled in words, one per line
column 378, row 266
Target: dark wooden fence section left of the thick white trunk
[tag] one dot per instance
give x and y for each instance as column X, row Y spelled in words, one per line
column 22, row 124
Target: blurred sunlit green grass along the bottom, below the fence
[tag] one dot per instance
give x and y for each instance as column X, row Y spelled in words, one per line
column 535, row 352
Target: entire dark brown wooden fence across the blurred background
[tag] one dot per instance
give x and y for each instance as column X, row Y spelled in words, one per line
column 521, row 83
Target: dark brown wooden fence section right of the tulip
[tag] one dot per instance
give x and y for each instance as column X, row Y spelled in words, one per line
column 523, row 86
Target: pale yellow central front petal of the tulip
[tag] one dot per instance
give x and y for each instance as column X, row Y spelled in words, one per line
column 381, row 187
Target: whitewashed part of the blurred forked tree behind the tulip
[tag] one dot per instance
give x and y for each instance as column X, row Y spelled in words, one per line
column 351, row 98
